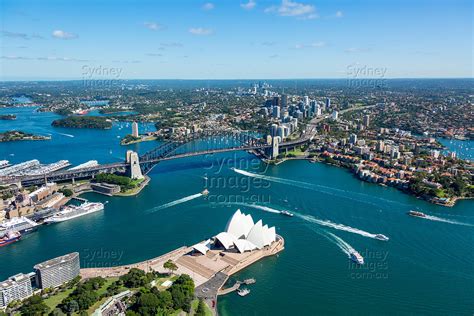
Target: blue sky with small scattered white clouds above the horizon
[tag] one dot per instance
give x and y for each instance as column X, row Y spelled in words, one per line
column 235, row 39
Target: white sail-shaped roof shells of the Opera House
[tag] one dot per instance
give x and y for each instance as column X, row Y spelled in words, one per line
column 245, row 235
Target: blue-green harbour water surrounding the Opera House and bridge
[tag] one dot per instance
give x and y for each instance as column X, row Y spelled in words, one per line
column 427, row 266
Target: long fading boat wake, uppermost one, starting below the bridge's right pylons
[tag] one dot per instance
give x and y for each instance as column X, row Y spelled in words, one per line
column 319, row 188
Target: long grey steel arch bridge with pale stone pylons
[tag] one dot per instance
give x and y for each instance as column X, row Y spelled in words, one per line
column 194, row 144
